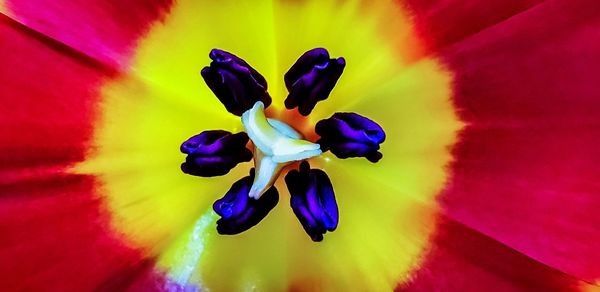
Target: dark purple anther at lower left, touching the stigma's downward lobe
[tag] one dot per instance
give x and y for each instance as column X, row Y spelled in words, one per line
column 238, row 211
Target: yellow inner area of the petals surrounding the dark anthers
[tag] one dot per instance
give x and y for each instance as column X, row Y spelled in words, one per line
column 387, row 209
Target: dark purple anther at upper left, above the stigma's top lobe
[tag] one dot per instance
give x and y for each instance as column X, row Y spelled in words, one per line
column 237, row 85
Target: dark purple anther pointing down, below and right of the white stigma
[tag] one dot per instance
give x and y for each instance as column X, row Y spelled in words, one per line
column 313, row 200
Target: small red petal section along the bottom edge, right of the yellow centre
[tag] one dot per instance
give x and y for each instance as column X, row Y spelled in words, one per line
column 462, row 259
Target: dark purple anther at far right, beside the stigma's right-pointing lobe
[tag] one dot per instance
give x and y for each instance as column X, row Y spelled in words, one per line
column 351, row 135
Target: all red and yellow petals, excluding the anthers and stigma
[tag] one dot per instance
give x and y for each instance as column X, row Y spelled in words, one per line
column 98, row 94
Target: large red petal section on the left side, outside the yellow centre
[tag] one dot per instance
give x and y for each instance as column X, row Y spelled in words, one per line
column 54, row 234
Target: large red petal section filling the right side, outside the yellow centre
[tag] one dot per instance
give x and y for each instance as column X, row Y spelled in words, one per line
column 528, row 164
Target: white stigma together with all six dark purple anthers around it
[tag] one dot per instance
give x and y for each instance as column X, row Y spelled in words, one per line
column 276, row 144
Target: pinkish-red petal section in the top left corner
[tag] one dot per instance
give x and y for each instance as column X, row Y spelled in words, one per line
column 105, row 30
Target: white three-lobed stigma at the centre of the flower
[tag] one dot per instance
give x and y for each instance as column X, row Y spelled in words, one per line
column 276, row 145
